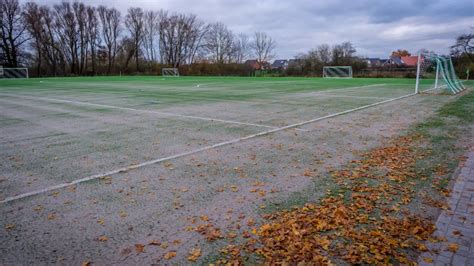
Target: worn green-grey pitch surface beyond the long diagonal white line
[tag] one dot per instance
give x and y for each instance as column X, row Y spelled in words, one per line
column 80, row 127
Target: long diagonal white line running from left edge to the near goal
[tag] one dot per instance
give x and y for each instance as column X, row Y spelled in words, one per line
column 225, row 143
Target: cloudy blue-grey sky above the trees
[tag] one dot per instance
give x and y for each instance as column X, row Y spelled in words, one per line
column 375, row 27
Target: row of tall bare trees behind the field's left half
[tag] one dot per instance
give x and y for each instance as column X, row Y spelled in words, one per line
column 72, row 38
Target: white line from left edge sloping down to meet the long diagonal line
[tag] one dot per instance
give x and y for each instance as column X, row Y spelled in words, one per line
column 144, row 111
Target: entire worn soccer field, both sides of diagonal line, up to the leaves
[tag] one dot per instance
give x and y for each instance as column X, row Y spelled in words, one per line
column 85, row 157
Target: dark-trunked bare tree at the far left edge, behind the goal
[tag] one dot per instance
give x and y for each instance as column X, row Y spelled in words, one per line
column 13, row 32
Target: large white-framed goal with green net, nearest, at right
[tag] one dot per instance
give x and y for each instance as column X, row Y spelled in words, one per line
column 435, row 74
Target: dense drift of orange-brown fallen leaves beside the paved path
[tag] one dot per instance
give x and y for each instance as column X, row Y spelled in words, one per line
column 365, row 222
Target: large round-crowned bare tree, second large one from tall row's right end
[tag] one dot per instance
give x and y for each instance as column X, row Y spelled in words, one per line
column 219, row 43
